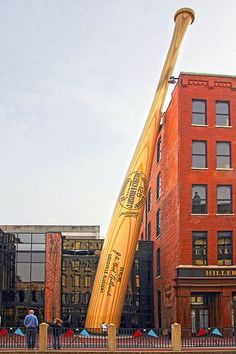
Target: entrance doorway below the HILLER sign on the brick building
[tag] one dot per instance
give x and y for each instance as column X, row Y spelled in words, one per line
column 204, row 311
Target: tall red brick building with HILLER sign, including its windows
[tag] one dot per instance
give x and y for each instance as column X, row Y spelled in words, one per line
column 190, row 213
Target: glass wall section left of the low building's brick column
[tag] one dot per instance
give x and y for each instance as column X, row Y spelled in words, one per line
column 22, row 260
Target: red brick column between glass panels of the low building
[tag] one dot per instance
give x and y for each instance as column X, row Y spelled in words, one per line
column 53, row 276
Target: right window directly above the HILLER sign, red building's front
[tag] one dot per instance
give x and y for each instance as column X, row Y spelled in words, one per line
column 224, row 248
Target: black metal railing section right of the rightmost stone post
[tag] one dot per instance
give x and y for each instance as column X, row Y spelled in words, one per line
column 210, row 337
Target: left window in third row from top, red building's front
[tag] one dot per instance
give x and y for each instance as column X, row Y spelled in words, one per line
column 199, row 199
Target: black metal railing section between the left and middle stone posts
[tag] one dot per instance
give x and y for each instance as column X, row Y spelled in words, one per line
column 77, row 338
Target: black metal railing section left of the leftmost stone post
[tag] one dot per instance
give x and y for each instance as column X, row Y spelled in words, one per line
column 14, row 337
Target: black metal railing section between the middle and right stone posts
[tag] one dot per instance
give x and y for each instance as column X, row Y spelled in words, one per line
column 143, row 338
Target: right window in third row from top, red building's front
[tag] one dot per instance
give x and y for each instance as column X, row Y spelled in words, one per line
column 224, row 200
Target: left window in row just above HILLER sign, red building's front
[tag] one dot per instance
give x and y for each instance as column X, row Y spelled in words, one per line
column 199, row 247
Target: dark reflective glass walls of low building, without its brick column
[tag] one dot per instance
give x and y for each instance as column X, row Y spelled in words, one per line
column 22, row 280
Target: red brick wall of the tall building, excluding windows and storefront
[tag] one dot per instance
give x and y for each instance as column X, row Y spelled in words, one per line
column 177, row 175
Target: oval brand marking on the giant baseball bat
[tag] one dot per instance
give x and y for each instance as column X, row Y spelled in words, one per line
column 133, row 193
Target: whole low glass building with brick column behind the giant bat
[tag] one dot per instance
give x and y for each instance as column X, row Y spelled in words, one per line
column 52, row 269
